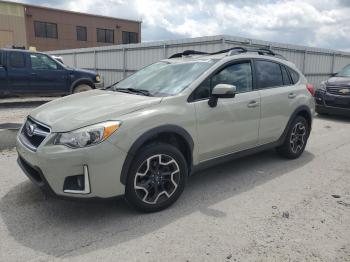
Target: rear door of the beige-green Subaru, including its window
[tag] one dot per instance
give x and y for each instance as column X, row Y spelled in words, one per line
column 277, row 99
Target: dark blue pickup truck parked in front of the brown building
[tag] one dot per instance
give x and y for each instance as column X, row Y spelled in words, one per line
column 33, row 73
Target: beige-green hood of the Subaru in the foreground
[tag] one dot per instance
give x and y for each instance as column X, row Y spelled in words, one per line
column 79, row 110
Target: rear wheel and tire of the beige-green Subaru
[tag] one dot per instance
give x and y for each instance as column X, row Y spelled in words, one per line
column 296, row 139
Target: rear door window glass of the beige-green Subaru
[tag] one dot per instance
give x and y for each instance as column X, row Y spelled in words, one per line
column 268, row 74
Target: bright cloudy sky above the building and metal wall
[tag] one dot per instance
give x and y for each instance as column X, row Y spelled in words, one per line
column 319, row 23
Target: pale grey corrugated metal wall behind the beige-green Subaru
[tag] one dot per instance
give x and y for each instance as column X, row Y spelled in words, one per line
column 116, row 62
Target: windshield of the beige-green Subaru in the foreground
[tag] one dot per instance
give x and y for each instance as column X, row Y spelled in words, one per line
column 164, row 78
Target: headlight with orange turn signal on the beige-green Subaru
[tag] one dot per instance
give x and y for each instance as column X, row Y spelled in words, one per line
column 87, row 136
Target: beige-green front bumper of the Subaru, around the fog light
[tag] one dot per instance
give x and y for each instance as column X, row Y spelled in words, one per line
column 50, row 165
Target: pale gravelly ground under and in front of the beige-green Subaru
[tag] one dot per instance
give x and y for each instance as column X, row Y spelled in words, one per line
column 259, row 208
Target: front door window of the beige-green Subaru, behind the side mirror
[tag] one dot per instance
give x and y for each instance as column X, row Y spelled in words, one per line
column 239, row 75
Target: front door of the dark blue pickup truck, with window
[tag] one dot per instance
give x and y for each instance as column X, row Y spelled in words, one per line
column 47, row 76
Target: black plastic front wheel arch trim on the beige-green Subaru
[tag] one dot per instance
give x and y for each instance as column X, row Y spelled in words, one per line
column 171, row 134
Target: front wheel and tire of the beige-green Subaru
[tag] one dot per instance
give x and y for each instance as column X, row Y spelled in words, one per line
column 152, row 187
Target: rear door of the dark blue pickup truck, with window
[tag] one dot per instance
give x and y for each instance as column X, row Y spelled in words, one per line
column 18, row 72
